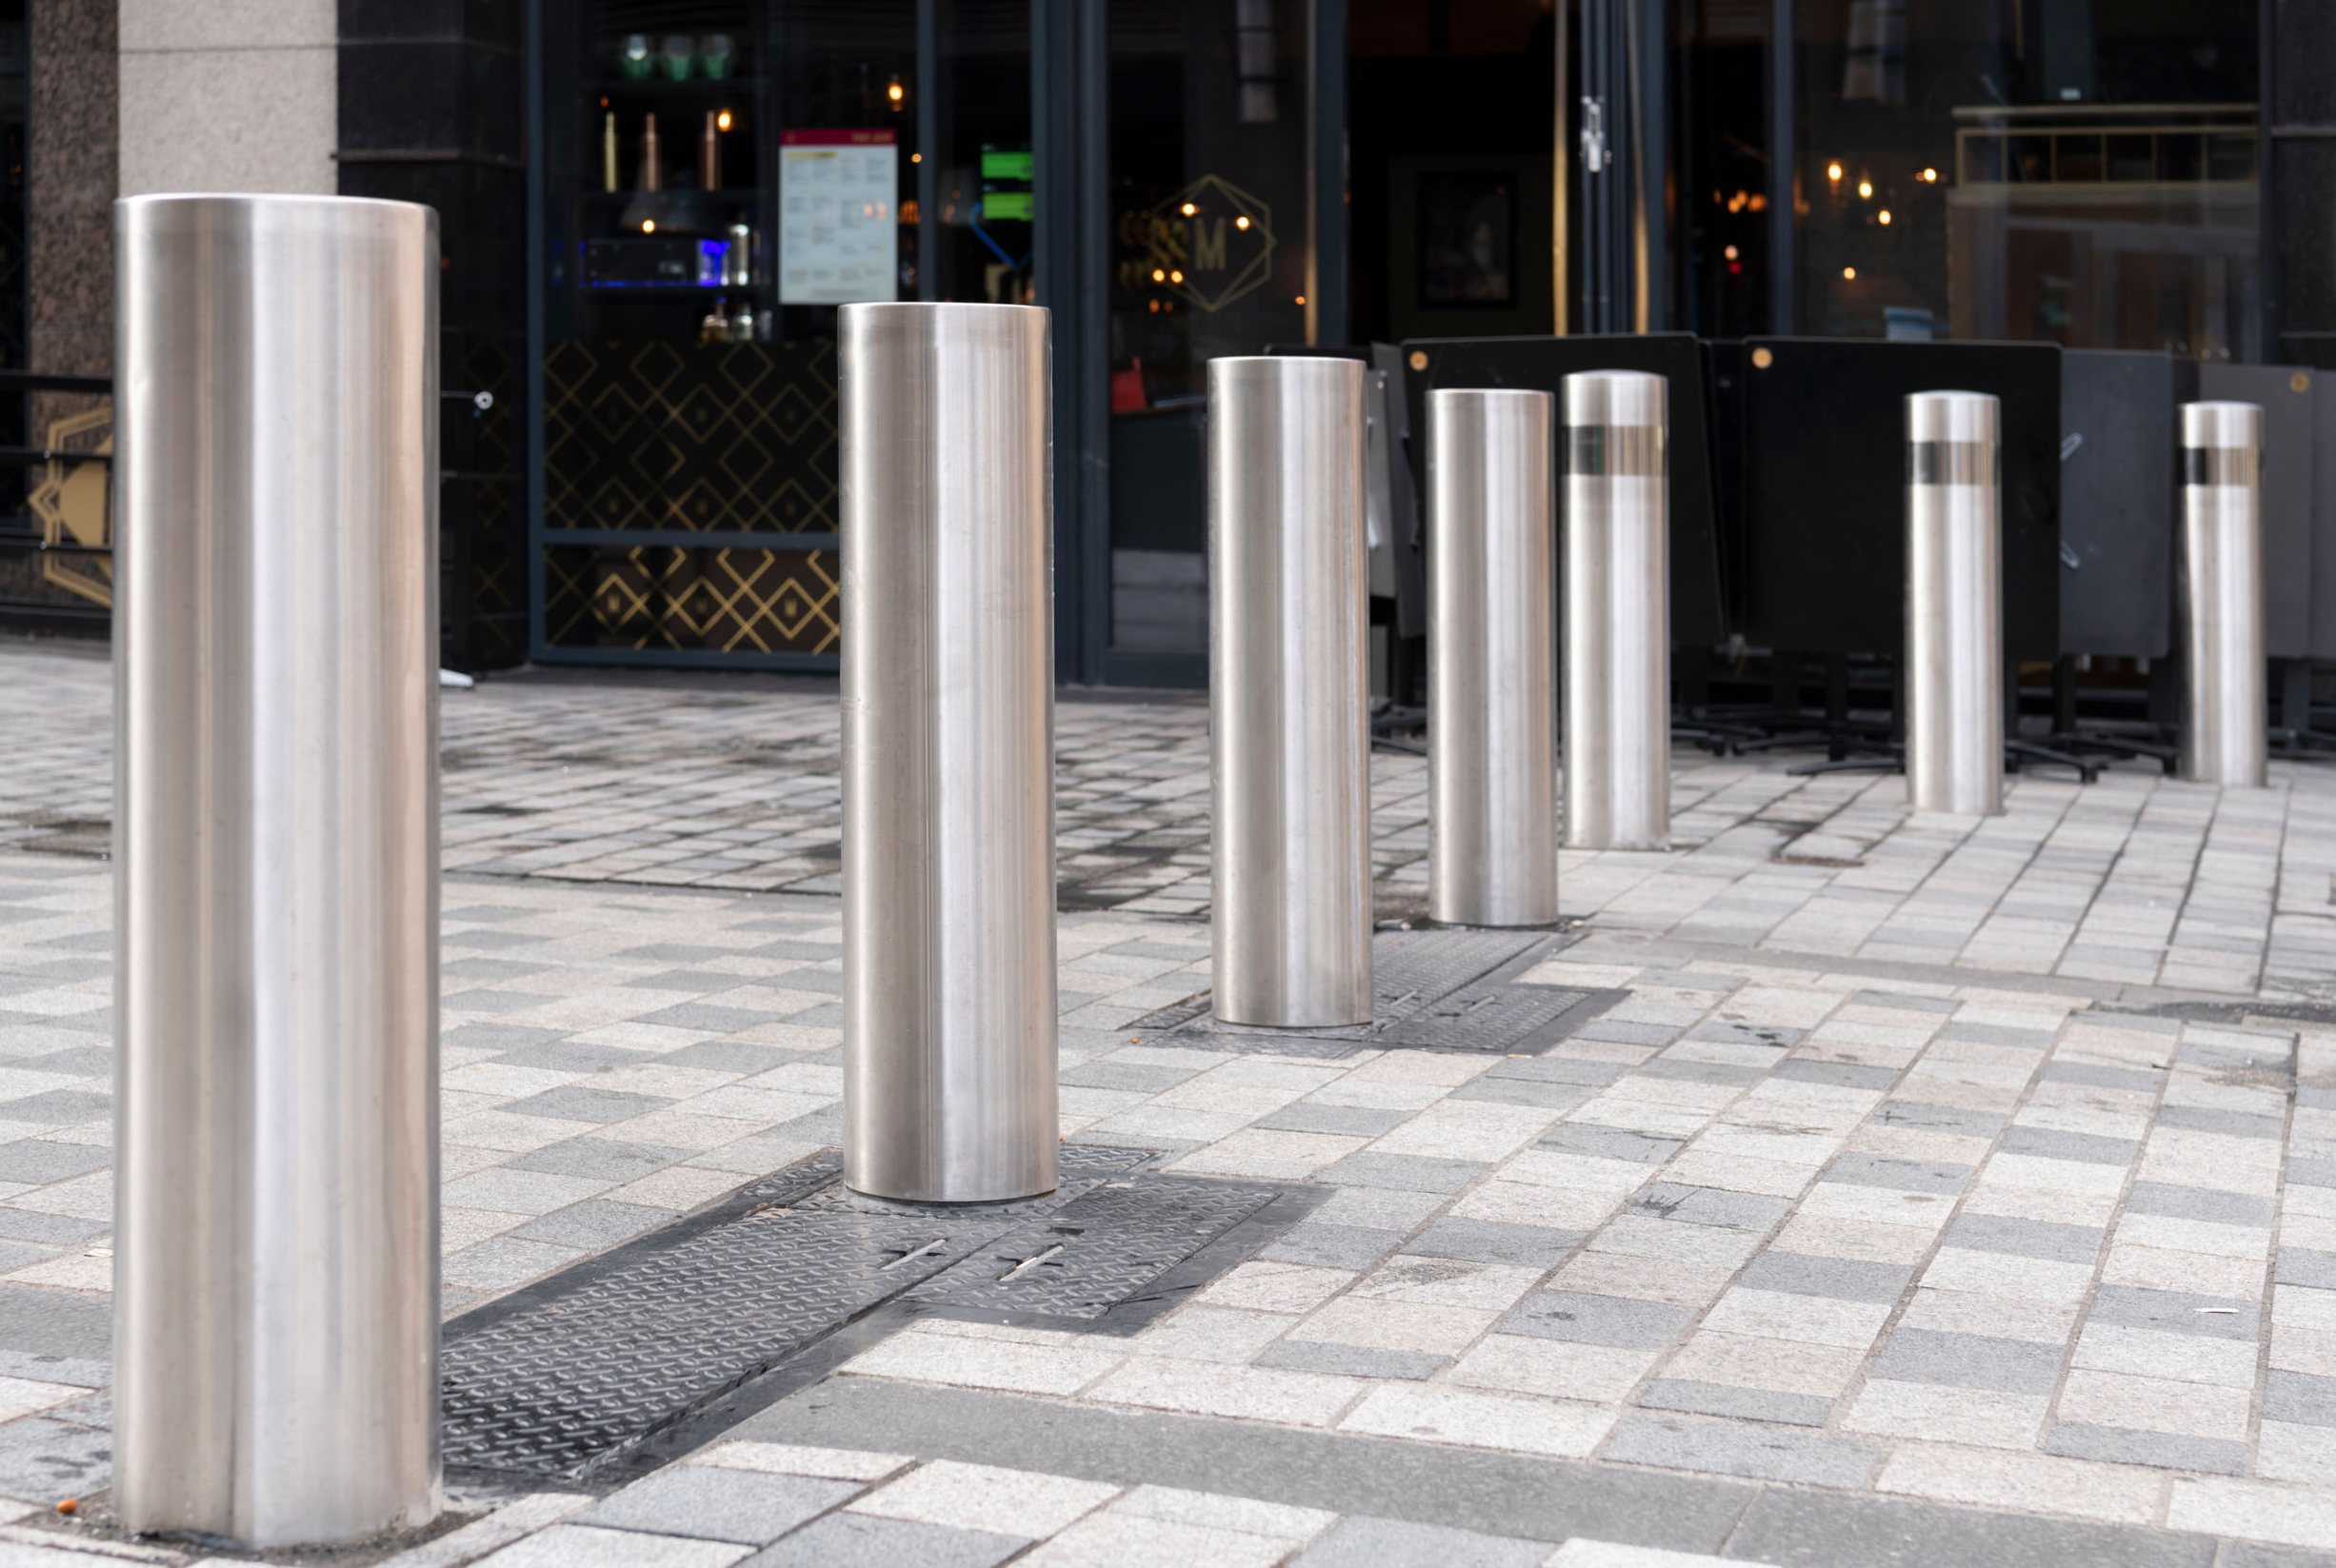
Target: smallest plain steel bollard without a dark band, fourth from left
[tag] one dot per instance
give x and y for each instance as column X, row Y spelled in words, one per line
column 1494, row 658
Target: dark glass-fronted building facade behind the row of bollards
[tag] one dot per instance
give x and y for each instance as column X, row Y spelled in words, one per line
column 653, row 209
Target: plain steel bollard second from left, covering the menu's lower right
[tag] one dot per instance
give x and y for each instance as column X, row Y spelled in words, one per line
column 950, row 1039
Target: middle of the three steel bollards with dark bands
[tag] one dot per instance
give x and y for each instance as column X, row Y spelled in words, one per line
column 1954, row 669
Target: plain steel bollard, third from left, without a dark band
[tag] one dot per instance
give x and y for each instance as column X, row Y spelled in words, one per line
column 1288, row 693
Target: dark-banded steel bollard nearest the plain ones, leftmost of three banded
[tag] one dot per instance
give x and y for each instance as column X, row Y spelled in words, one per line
column 1618, row 611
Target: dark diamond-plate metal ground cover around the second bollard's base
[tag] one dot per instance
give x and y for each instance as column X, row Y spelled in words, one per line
column 588, row 1366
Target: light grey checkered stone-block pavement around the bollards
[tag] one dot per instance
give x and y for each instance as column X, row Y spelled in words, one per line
column 1968, row 1205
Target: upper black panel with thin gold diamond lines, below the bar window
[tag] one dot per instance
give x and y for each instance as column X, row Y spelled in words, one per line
column 711, row 438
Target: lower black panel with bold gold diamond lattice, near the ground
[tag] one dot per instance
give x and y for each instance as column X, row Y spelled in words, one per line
column 730, row 602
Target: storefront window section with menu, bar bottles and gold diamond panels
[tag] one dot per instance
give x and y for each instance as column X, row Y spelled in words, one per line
column 721, row 176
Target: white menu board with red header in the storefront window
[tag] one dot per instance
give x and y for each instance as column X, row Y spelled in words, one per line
column 837, row 223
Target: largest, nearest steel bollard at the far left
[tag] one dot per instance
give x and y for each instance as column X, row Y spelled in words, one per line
column 277, row 1293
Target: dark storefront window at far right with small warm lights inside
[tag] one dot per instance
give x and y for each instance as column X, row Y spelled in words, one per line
column 2029, row 169
